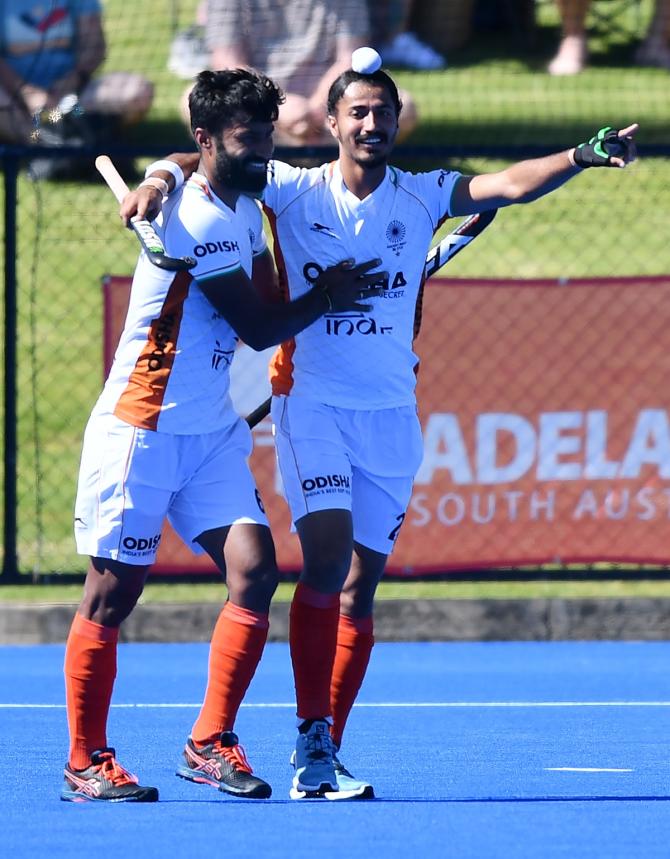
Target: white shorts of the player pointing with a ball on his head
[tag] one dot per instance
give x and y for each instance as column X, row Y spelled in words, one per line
column 348, row 459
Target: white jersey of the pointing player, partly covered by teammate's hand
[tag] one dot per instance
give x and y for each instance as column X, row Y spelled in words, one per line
column 360, row 359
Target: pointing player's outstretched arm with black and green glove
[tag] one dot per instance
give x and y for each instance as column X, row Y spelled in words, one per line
column 528, row 180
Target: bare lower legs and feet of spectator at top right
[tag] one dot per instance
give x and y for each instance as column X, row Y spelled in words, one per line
column 572, row 53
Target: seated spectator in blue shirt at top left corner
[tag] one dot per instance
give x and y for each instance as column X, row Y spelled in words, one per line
column 49, row 53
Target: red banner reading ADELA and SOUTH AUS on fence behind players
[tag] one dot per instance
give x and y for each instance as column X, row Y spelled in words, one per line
column 545, row 407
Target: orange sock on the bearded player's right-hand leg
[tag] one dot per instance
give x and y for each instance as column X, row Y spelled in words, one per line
column 235, row 651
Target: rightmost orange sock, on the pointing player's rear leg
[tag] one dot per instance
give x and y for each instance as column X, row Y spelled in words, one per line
column 354, row 645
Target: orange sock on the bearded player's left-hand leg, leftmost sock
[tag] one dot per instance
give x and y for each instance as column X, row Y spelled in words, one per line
column 90, row 671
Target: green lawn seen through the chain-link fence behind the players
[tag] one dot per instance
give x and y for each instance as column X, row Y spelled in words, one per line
column 69, row 235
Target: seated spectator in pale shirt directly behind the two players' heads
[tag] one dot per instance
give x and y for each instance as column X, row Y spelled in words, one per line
column 302, row 45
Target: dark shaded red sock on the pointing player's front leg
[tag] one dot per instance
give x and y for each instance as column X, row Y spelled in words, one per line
column 312, row 640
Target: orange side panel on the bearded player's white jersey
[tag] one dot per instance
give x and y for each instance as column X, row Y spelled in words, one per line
column 140, row 403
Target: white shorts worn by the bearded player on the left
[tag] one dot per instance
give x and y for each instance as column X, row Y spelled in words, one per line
column 130, row 479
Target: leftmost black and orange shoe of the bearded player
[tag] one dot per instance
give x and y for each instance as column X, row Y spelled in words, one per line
column 104, row 781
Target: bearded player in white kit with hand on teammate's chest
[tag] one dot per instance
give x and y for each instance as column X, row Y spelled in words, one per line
column 163, row 440
